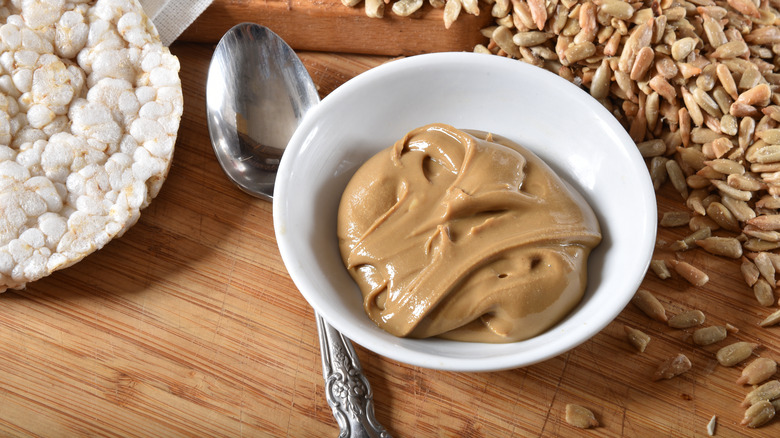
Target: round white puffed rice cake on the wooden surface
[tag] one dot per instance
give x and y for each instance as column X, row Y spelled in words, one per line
column 90, row 106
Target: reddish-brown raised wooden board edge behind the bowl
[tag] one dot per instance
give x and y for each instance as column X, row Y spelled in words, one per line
column 329, row 26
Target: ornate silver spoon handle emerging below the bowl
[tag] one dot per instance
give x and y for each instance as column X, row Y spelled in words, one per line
column 346, row 388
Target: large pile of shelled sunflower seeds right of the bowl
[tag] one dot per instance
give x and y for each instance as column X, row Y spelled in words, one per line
column 695, row 85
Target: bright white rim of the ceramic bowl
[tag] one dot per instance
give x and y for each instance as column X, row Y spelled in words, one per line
column 429, row 360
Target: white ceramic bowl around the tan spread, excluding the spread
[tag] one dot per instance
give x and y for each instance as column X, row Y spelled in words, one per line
column 562, row 124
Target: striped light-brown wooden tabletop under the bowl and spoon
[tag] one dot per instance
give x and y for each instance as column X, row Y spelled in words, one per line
column 190, row 326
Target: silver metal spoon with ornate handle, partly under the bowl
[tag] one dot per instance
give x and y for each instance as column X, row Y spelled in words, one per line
column 257, row 92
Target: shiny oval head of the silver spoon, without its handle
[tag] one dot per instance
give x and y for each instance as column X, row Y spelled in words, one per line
column 254, row 106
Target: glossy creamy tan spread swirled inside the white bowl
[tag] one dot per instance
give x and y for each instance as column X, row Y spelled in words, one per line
column 464, row 236
